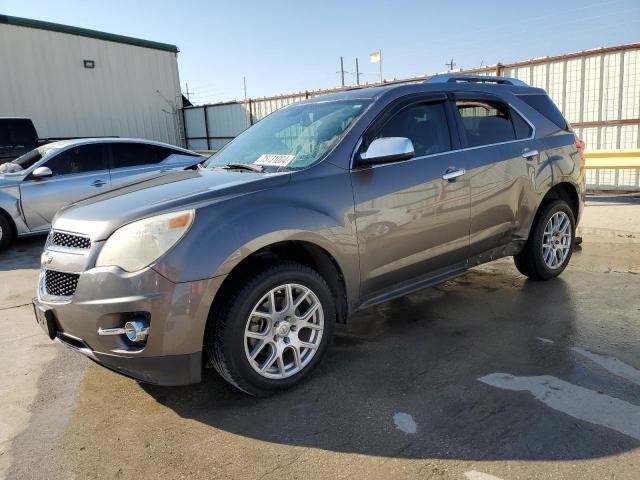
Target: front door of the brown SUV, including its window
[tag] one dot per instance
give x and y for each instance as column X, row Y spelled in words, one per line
column 411, row 222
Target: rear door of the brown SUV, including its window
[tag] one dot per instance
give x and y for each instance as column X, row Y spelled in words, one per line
column 501, row 179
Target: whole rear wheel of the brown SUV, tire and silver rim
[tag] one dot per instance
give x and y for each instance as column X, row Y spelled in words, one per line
column 550, row 244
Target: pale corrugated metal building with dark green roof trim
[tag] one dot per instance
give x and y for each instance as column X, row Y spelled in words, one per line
column 74, row 82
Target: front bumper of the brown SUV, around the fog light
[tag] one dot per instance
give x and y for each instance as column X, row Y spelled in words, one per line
column 107, row 297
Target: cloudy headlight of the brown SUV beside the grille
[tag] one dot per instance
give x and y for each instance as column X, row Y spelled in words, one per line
column 140, row 243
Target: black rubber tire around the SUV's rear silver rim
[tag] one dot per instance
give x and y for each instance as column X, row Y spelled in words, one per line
column 530, row 261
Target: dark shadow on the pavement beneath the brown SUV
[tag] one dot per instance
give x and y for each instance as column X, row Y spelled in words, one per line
column 422, row 356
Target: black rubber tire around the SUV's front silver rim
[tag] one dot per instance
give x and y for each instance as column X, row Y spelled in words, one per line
column 226, row 338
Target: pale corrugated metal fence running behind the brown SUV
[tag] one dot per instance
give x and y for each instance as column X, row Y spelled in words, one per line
column 597, row 90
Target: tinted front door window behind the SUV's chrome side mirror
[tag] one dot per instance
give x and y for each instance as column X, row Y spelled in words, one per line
column 424, row 124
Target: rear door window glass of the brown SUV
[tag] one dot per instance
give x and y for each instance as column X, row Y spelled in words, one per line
column 485, row 122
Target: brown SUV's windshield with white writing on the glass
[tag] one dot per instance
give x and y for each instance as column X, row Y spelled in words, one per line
column 292, row 138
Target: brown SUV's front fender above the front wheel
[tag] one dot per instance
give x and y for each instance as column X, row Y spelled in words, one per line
column 226, row 233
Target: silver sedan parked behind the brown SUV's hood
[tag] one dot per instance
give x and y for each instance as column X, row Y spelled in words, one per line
column 38, row 184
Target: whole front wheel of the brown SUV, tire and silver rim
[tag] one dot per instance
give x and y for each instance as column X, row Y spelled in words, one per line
column 274, row 330
